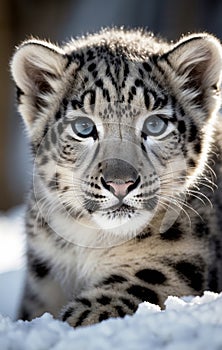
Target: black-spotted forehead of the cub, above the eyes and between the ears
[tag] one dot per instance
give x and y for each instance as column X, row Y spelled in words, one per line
column 115, row 85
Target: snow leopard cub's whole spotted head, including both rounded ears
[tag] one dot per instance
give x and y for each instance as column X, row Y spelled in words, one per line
column 119, row 134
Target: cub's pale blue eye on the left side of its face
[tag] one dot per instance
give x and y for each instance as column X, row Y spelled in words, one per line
column 84, row 127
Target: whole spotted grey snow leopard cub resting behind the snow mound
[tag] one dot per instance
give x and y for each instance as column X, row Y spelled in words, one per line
column 126, row 143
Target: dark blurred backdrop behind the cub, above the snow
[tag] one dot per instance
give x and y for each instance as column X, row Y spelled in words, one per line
column 58, row 21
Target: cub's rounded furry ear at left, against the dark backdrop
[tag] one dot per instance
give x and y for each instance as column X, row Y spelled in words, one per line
column 35, row 66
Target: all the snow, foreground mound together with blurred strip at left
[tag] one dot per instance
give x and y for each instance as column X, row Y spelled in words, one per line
column 186, row 323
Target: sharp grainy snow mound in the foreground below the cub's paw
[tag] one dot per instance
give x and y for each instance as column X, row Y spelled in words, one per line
column 194, row 324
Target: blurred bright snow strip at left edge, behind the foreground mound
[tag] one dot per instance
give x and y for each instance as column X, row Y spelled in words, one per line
column 12, row 260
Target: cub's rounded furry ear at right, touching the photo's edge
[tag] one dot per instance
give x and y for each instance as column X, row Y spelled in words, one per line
column 198, row 59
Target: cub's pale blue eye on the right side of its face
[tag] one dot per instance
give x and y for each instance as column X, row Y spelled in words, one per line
column 154, row 125
